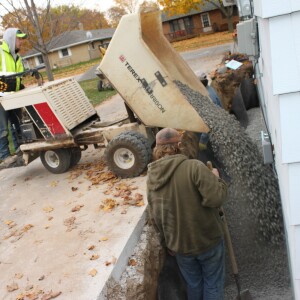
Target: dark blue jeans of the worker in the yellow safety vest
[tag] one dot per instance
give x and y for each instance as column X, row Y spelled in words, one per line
column 5, row 117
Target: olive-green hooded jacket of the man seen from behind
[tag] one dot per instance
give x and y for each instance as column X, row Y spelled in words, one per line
column 183, row 196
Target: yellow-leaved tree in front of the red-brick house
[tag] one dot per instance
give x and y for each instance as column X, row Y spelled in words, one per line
column 173, row 7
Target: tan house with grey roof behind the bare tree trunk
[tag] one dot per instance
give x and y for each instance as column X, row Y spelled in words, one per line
column 71, row 47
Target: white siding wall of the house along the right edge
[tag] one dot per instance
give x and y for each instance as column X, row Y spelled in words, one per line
column 279, row 65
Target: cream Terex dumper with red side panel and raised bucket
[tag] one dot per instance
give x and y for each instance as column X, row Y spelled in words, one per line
column 58, row 121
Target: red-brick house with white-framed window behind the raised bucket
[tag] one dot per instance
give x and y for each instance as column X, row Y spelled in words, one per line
column 207, row 19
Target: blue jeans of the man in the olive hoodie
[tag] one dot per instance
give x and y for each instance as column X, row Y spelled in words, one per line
column 204, row 274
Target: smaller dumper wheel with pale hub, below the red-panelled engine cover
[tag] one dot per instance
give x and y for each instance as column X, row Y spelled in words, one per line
column 56, row 161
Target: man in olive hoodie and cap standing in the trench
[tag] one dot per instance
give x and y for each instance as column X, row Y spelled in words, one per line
column 184, row 196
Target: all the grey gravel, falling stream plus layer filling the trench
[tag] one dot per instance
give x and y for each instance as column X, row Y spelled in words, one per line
column 253, row 208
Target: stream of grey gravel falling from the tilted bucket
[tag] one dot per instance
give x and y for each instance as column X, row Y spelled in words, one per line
column 242, row 162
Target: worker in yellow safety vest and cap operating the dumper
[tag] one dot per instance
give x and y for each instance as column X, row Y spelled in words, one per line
column 10, row 62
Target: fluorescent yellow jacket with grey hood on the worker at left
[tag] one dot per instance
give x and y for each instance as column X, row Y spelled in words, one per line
column 13, row 62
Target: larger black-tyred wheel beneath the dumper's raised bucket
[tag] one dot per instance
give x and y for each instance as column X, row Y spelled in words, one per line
column 126, row 155
